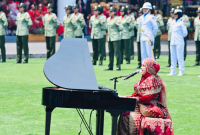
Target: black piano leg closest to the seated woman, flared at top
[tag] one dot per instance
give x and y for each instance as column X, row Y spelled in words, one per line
column 114, row 115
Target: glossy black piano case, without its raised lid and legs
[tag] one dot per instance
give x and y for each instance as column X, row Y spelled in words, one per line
column 97, row 99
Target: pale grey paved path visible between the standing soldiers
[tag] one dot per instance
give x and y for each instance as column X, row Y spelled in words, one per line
column 38, row 49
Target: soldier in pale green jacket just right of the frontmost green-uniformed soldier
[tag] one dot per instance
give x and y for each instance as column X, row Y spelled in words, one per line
column 125, row 35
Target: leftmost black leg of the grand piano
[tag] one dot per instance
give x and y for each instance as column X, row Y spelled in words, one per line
column 48, row 120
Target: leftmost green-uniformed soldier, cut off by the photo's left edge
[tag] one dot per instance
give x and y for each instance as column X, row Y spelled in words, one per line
column 3, row 25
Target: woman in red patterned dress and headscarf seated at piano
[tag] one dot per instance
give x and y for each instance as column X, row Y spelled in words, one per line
column 151, row 114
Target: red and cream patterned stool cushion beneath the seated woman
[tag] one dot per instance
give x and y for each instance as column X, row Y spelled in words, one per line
column 157, row 126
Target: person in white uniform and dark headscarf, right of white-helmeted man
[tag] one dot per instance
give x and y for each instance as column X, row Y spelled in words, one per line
column 178, row 31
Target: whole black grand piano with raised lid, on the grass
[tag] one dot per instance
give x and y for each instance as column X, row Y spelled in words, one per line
column 76, row 86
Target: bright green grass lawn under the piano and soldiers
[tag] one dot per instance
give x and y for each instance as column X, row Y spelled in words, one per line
column 21, row 112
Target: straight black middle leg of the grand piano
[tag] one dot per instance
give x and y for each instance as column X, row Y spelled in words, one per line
column 100, row 122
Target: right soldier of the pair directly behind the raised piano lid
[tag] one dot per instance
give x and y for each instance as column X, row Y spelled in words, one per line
column 78, row 19
